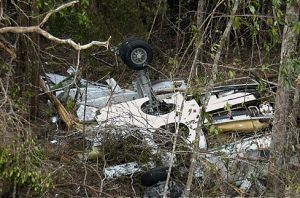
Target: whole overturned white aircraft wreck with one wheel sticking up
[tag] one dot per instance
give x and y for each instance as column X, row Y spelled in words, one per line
column 162, row 116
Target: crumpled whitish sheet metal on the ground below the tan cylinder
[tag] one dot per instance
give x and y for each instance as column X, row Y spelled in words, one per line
column 226, row 160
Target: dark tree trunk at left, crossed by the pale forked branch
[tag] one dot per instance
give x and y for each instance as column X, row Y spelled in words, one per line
column 27, row 62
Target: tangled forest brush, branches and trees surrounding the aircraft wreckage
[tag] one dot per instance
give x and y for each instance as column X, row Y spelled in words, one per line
column 207, row 42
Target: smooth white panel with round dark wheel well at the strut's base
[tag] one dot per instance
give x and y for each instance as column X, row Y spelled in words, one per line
column 131, row 113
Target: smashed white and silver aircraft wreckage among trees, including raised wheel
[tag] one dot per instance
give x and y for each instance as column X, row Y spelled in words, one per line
column 154, row 106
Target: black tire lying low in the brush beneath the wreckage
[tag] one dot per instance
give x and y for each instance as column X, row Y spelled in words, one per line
column 153, row 176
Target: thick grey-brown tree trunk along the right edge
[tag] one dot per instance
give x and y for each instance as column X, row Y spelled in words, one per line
column 283, row 100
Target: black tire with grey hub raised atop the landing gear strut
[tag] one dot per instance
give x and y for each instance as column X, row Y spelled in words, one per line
column 136, row 53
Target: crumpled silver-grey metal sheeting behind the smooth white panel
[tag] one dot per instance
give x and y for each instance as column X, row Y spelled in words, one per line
column 92, row 96
